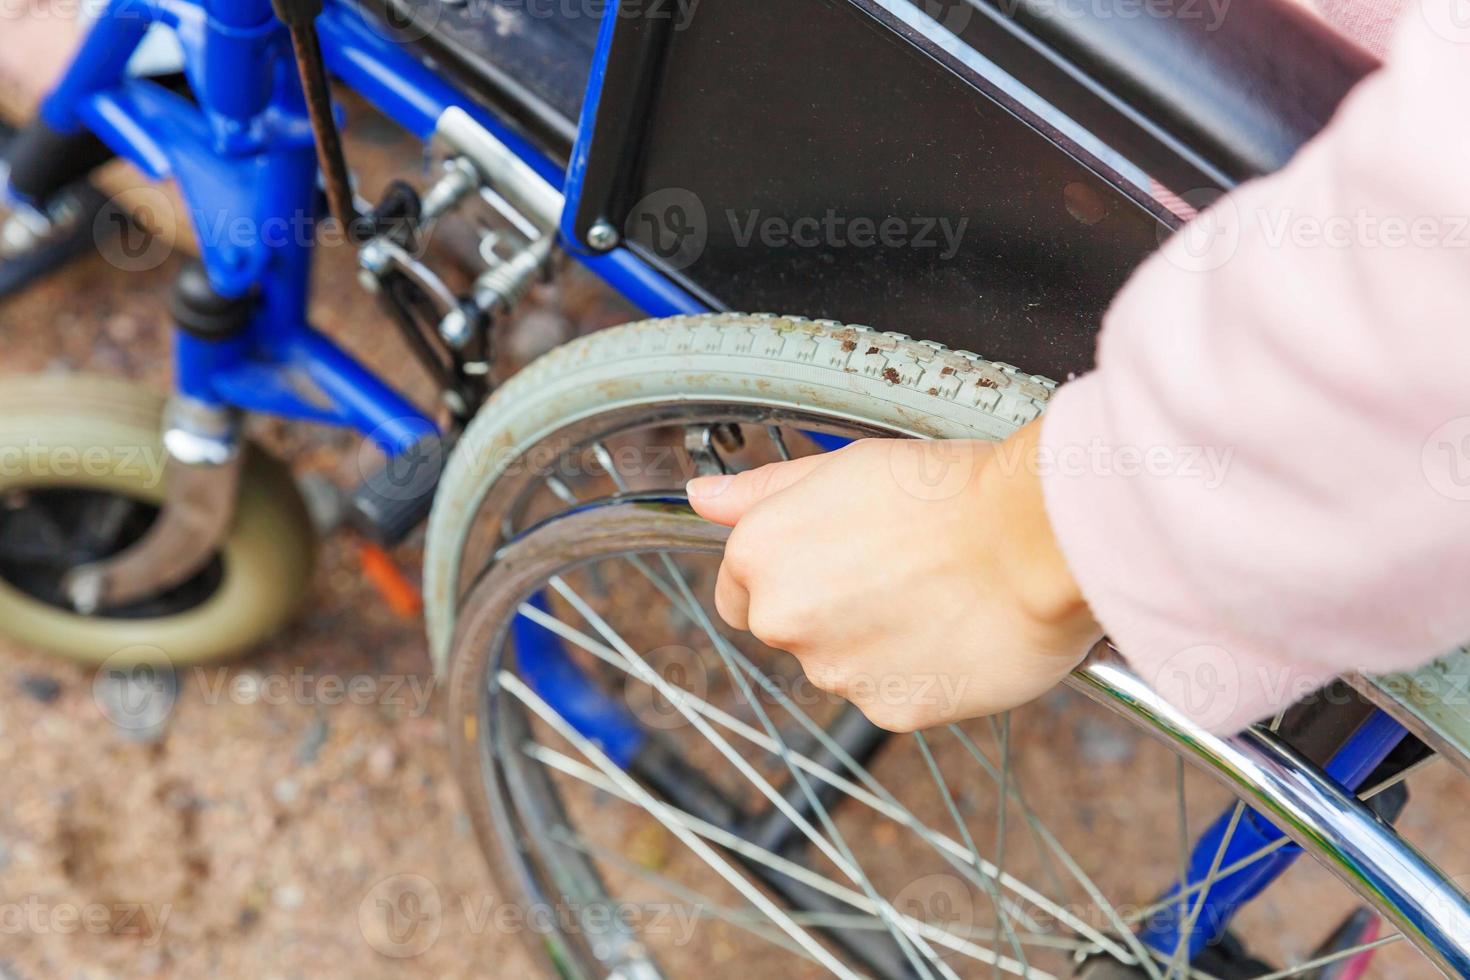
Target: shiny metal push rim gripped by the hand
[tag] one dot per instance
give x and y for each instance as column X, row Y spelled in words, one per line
column 1338, row 831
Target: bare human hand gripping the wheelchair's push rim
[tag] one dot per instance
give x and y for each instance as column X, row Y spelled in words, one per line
column 921, row 581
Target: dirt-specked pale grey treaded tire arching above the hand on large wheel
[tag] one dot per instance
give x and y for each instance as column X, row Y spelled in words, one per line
column 881, row 378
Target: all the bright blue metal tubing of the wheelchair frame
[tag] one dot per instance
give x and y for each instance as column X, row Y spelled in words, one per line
column 245, row 152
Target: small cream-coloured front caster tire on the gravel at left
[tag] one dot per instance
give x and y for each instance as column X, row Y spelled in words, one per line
column 73, row 443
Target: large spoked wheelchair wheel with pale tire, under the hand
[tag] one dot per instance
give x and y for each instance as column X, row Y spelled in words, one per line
column 667, row 797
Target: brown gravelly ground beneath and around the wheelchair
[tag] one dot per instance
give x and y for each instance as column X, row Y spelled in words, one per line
column 273, row 826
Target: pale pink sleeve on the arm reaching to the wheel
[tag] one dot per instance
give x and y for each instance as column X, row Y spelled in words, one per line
column 1266, row 483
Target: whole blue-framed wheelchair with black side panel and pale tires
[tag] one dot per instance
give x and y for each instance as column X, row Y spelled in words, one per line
column 967, row 176
